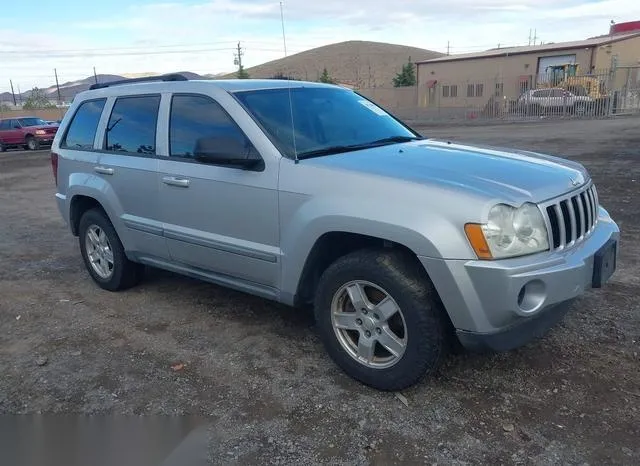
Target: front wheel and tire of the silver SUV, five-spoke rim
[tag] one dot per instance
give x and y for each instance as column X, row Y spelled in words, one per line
column 403, row 280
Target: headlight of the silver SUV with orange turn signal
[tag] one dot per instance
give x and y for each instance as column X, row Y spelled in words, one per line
column 509, row 232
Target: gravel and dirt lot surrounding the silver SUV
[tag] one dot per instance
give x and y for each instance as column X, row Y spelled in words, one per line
column 257, row 373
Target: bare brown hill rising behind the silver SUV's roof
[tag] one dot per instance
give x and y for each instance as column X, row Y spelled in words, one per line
column 358, row 63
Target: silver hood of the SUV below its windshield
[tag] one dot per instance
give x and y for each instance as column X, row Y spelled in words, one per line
column 512, row 175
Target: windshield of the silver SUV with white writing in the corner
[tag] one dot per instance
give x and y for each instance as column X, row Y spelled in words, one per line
column 325, row 120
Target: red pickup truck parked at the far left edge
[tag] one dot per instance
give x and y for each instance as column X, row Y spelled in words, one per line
column 27, row 132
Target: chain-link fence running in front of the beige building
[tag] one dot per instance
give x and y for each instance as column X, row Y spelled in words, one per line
column 598, row 94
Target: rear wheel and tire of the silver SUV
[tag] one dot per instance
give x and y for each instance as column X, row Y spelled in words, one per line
column 120, row 273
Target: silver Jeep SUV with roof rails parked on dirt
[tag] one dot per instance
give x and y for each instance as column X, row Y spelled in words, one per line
column 310, row 194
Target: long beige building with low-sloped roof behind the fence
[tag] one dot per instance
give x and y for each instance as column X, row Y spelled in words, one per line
column 499, row 75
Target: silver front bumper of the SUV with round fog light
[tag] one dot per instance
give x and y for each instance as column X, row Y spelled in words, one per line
column 502, row 304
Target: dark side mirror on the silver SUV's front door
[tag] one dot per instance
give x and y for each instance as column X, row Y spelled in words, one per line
column 228, row 151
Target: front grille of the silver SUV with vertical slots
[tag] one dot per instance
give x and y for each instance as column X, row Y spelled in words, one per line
column 572, row 218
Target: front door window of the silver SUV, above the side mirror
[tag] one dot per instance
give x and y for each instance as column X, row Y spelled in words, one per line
column 195, row 118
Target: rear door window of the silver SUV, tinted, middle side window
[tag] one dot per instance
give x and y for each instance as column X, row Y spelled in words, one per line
column 132, row 125
